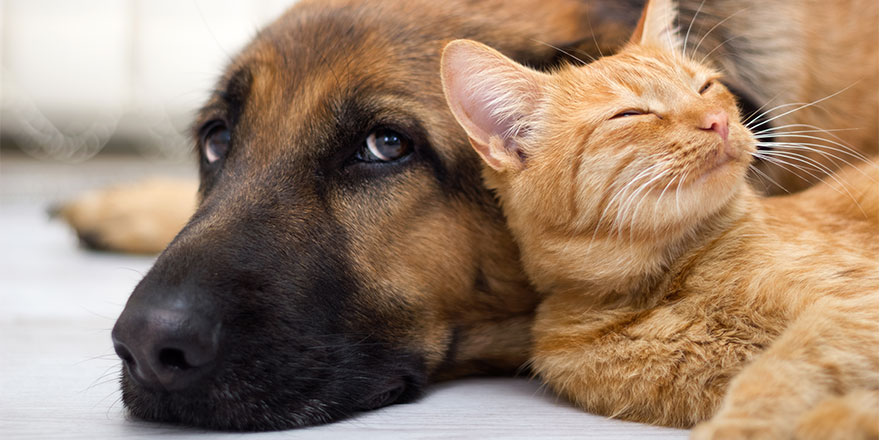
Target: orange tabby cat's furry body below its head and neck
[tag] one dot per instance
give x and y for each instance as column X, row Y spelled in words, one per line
column 667, row 352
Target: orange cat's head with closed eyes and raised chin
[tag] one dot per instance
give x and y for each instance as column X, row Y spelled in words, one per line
column 639, row 142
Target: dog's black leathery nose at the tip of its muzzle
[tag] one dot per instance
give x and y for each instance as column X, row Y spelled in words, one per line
column 166, row 348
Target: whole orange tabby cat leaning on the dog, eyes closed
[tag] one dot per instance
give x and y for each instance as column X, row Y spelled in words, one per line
column 674, row 293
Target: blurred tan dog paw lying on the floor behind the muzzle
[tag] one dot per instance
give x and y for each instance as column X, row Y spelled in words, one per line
column 137, row 218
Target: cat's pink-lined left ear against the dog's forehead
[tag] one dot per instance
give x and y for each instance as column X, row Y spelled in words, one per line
column 490, row 96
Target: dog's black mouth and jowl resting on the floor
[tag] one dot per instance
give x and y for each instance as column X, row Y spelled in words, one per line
column 294, row 379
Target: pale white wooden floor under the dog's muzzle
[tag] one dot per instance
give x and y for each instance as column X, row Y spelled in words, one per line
column 58, row 373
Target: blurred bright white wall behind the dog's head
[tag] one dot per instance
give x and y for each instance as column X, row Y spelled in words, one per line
column 73, row 73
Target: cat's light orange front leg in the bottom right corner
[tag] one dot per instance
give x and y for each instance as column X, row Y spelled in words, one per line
column 828, row 352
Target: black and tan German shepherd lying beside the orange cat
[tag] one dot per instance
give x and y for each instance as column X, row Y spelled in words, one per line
column 344, row 252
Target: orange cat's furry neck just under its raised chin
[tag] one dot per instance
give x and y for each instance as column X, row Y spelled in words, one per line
column 617, row 269
